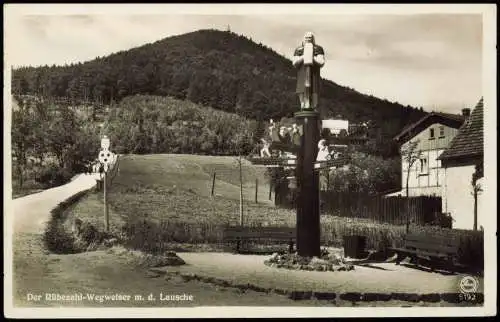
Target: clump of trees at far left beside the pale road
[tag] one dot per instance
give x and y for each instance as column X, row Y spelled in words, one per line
column 50, row 142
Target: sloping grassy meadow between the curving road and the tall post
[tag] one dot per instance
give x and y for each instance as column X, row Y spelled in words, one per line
column 178, row 188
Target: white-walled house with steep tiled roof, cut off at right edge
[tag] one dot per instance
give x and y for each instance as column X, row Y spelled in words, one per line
column 460, row 160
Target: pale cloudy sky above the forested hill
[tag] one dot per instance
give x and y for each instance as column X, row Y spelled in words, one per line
column 430, row 60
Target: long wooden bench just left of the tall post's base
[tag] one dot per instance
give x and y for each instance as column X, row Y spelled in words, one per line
column 278, row 234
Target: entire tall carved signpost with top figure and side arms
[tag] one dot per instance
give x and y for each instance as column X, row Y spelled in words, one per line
column 301, row 148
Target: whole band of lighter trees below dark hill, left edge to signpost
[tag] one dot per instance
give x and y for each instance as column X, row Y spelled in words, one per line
column 53, row 139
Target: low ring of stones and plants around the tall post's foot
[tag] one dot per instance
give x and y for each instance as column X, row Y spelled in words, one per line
column 326, row 262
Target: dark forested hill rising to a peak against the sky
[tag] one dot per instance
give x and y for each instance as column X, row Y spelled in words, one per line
column 214, row 68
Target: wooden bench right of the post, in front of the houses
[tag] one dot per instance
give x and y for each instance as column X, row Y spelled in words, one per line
column 434, row 249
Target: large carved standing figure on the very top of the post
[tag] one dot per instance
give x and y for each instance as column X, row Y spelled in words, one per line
column 308, row 59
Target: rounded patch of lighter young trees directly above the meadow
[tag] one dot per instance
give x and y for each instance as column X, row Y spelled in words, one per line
column 145, row 124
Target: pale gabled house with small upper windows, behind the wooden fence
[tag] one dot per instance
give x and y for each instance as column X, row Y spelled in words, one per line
column 433, row 132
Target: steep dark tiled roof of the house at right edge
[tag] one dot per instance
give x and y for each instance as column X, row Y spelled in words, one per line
column 469, row 139
